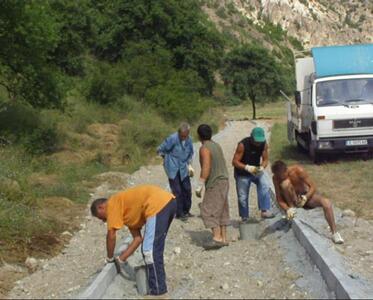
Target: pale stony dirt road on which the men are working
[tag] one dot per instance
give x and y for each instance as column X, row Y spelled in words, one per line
column 273, row 267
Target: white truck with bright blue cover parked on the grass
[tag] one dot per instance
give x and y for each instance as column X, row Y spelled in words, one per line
column 333, row 109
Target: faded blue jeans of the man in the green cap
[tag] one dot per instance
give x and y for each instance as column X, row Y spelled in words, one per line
column 243, row 184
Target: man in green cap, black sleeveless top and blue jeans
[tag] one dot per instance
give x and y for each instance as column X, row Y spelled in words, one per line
column 249, row 161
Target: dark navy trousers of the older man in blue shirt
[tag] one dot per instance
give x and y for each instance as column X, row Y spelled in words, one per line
column 182, row 190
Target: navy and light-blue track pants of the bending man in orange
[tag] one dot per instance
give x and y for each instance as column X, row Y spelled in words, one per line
column 156, row 229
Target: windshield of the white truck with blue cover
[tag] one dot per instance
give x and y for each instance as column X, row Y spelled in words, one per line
column 344, row 92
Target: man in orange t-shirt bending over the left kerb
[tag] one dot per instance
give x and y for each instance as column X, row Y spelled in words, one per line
column 135, row 207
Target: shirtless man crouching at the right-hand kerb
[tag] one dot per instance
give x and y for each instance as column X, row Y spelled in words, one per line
column 294, row 188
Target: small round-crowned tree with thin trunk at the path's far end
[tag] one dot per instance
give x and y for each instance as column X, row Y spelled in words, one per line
column 253, row 73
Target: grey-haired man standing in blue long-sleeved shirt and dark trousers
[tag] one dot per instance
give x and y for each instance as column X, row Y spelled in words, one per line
column 177, row 153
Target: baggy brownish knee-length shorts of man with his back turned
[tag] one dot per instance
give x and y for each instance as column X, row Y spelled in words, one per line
column 214, row 207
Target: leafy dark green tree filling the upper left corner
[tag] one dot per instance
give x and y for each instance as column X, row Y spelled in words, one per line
column 28, row 36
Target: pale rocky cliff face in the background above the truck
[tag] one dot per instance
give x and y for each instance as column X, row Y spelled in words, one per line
column 313, row 22
